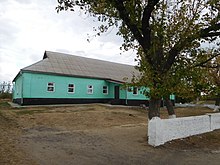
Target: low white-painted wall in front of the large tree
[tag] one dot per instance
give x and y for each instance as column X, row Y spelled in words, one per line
column 164, row 130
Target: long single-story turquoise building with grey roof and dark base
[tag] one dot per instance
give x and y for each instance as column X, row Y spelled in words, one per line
column 67, row 79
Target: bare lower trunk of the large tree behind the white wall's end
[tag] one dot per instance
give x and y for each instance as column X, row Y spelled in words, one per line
column 154, row 108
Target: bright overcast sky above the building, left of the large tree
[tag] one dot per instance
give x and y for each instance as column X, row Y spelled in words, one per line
column 29, row 27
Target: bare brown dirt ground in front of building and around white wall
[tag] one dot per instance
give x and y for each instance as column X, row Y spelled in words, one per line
column 96, row 134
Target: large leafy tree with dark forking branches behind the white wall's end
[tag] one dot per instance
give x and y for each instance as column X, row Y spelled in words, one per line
column 164, row 32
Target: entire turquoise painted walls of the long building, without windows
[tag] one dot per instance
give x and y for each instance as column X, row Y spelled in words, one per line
column 34, row 85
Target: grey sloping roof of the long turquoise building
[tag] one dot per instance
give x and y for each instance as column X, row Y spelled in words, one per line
column 71, row 65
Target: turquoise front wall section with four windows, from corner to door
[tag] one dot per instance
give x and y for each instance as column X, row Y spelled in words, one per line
column 36, row 87
